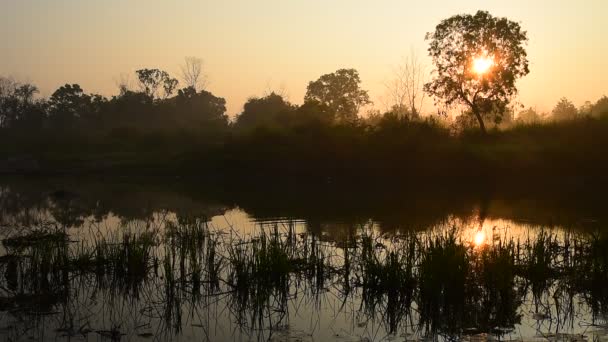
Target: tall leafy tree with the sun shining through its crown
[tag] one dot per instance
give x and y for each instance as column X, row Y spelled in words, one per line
column 477, row 59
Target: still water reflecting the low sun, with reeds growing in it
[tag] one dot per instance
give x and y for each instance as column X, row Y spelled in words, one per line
column 100, row 261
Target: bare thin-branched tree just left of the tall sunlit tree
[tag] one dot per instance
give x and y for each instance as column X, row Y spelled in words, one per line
column 405, row 90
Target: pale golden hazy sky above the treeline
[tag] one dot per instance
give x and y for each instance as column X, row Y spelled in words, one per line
column 252, row 46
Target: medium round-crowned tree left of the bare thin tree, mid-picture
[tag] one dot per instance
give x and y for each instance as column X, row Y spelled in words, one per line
column 340, row 92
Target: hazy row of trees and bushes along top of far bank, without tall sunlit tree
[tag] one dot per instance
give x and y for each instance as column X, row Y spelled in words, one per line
column 157, row 104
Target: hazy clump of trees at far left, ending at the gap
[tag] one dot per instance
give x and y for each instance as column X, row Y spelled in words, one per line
column 71, row 109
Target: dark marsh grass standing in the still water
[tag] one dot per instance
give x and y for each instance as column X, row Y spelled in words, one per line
column 432, row 282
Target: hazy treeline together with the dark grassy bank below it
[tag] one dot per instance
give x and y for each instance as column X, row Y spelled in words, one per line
column 158, row 127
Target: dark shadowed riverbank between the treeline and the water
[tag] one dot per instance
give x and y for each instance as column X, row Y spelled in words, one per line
column 420, row 154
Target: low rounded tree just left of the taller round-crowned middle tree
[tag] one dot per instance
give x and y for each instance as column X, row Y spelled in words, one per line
column 268, row 110
